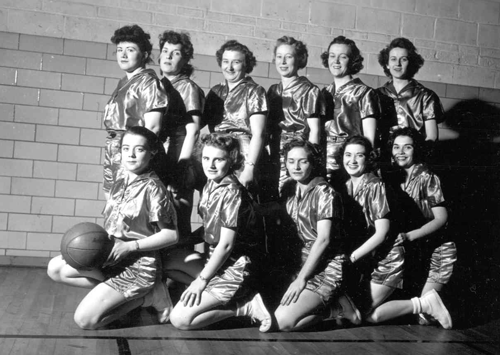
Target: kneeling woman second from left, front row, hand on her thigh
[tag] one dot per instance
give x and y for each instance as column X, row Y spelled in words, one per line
column 221, row 285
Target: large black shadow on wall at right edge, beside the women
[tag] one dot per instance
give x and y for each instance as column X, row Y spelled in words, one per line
column 469, row 167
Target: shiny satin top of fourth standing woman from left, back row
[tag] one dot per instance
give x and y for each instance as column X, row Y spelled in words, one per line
column 290, row 107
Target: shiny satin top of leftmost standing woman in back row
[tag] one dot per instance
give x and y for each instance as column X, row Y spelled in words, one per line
column 133, row 98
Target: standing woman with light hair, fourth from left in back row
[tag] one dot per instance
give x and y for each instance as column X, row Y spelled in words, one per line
column 296, row 105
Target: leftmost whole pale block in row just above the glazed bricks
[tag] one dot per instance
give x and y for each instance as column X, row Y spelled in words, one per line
column 36, row 23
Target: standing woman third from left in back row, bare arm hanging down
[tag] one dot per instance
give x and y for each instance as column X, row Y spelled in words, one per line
column 239, row 106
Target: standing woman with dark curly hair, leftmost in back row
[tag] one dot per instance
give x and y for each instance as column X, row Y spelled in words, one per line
column 138, row 100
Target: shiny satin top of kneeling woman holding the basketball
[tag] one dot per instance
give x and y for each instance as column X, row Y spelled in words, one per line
column 133, row 209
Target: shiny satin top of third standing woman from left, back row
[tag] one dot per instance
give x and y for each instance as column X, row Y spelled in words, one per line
column 230, row 110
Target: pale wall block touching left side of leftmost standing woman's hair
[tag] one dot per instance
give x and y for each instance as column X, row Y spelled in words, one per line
column 85, row 29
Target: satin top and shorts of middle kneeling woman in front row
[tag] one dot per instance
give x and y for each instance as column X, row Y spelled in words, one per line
column 318, row 202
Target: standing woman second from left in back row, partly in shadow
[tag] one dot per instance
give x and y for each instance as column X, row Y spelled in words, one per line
column 181, row 123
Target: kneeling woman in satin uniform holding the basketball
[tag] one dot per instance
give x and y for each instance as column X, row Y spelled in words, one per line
column 140, row 217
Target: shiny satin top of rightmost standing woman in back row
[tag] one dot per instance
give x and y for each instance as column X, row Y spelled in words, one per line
column 411, row 107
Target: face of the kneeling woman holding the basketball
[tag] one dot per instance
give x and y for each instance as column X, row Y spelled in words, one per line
column 136, row 153
